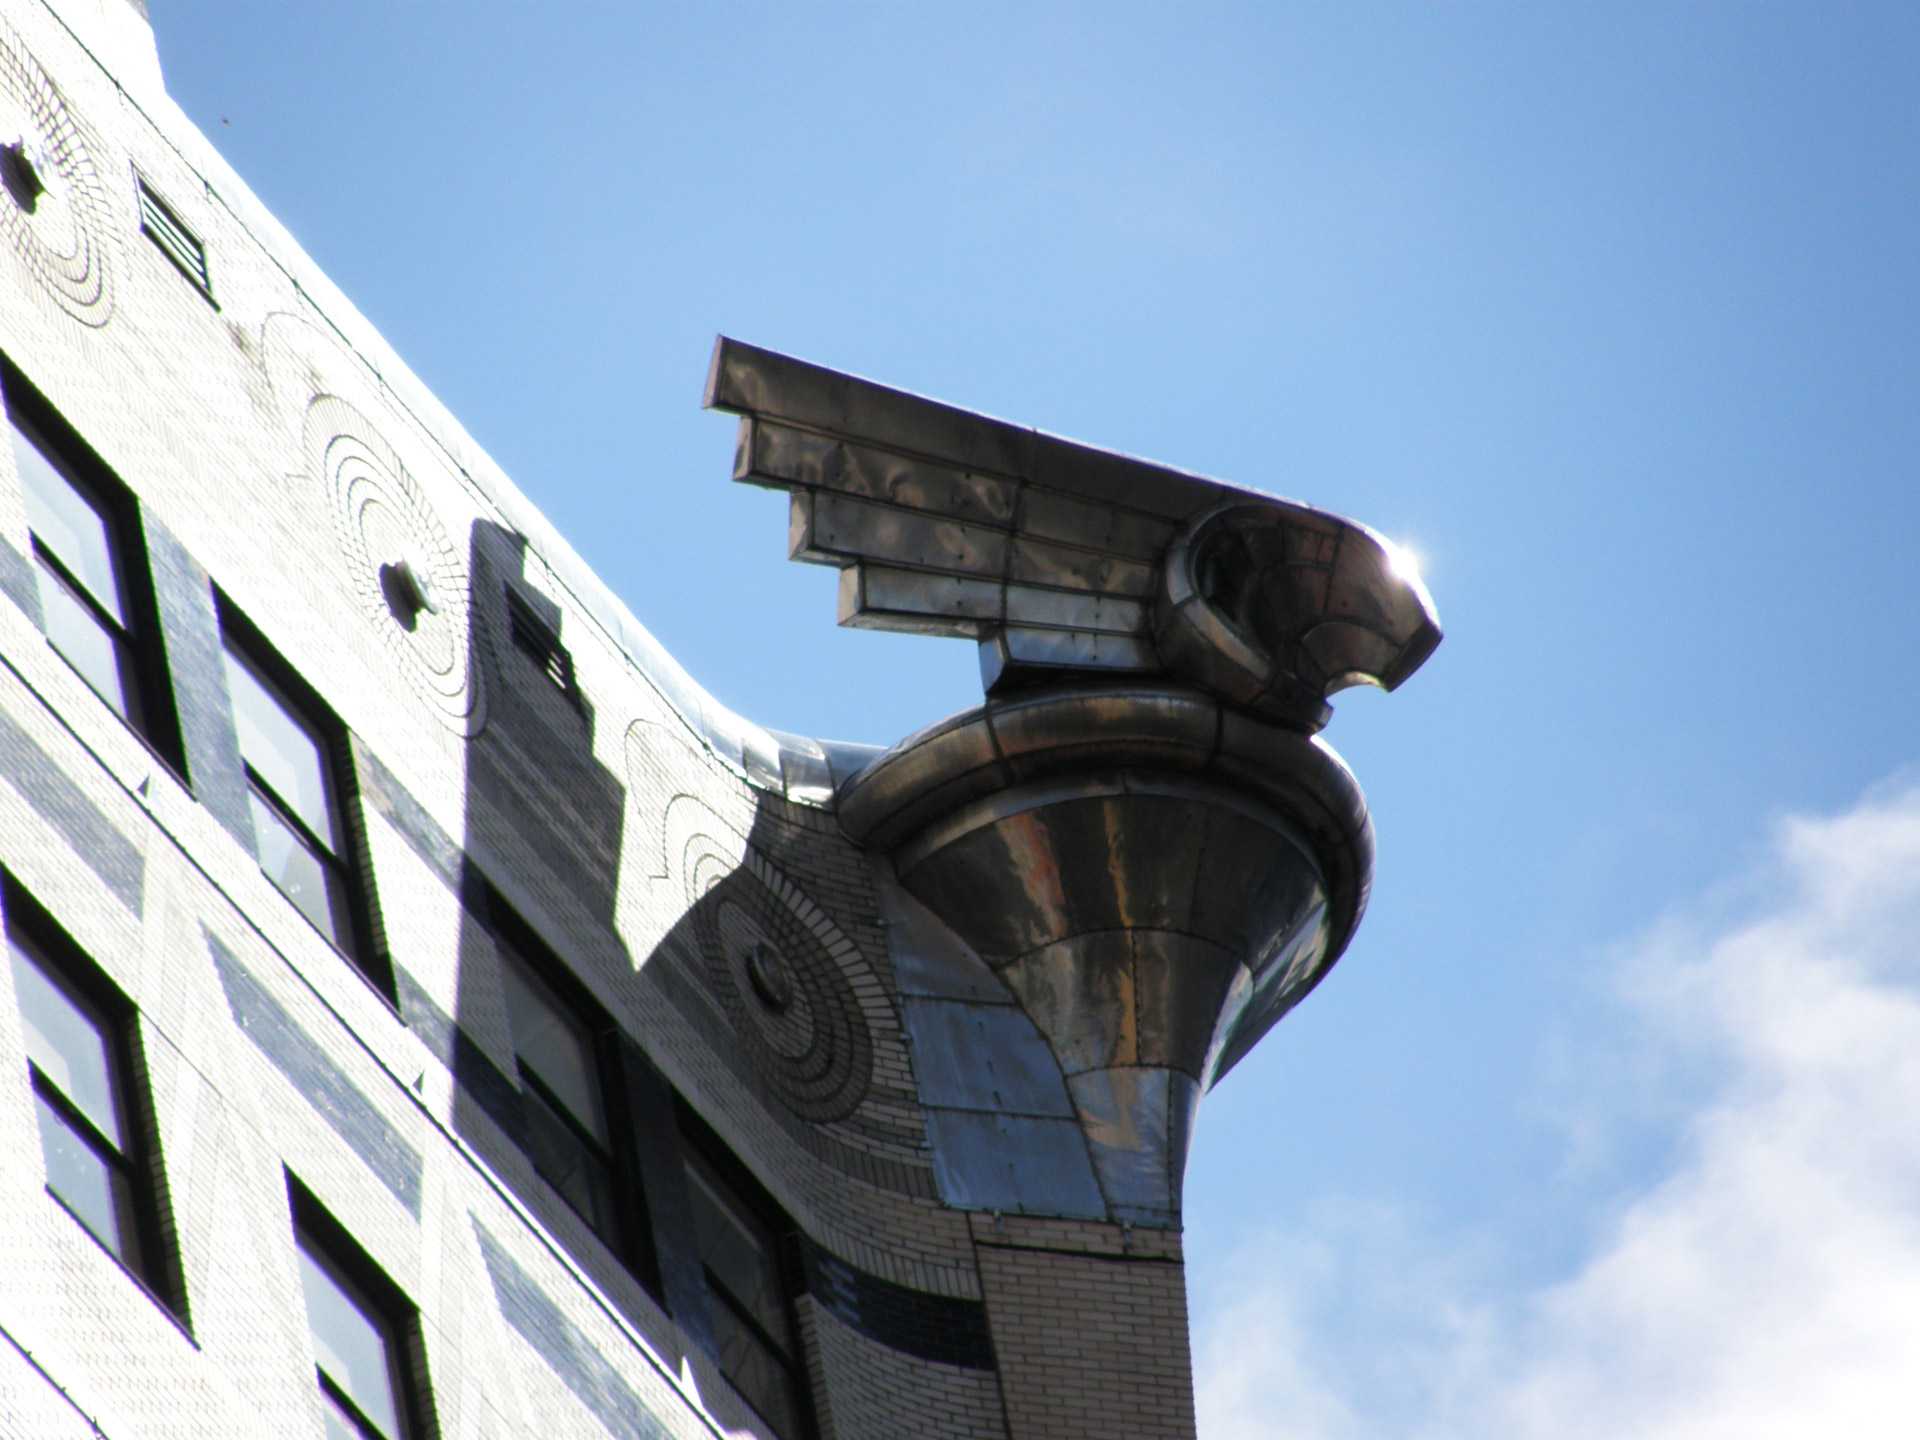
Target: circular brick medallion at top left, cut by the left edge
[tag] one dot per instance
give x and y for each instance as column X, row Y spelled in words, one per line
column 53, row 206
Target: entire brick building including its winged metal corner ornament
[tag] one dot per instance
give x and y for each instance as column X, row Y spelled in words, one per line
column 429, row 1015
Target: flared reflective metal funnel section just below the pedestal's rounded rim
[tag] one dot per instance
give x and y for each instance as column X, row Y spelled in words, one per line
column 1118, row 955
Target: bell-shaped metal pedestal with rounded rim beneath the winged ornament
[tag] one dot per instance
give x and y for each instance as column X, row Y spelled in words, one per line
column 1151, row 880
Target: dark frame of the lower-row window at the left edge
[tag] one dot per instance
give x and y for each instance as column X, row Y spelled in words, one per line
column 156, row 1266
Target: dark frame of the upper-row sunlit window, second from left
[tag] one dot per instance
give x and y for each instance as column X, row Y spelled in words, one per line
column 345, row 863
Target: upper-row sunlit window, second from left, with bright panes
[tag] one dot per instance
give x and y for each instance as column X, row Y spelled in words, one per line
column 289, row 742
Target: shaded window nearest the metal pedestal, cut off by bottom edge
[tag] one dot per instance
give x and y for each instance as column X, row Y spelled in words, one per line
column 742, row 1249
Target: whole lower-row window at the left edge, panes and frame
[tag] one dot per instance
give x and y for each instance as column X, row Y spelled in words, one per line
column 82, row 1067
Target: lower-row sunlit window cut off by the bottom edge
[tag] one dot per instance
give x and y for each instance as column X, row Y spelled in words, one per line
column 362, row 1330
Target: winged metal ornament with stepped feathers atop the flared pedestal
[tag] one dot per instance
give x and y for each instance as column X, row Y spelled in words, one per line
column 1061, row 558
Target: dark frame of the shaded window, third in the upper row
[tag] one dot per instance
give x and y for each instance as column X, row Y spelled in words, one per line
column 633, row 1236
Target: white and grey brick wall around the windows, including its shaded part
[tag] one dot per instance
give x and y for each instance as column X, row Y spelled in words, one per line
column 276, row 446
